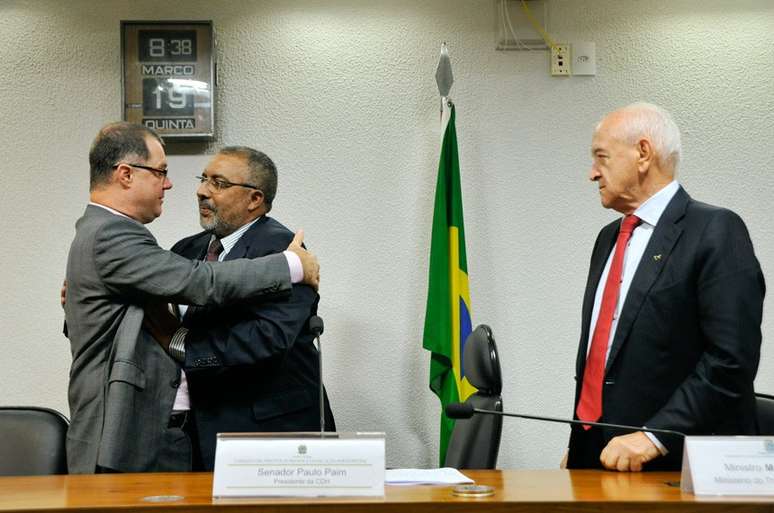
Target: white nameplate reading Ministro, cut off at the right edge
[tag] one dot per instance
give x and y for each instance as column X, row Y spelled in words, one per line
column 728, row 465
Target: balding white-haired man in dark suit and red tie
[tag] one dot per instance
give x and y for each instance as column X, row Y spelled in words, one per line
column 670, row 335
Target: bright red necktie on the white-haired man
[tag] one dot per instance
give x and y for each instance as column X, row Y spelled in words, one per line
column 590, row 404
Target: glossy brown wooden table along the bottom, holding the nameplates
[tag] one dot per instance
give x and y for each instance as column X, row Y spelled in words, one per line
column 516, row 490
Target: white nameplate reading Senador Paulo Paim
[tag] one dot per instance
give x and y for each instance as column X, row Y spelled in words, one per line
column 298, row 465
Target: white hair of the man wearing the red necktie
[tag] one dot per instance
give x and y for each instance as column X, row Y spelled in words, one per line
column 655, row 123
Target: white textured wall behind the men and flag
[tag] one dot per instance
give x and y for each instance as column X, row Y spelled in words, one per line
column 342, row 95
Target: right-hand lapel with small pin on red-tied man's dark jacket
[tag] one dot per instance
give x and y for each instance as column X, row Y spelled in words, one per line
column 654, row 259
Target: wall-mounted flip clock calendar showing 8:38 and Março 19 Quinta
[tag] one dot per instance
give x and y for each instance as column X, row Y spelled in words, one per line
column 168, row 77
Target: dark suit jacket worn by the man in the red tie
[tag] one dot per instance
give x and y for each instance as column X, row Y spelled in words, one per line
column 687, row 345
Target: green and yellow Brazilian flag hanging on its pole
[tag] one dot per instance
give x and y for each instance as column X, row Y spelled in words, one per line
column 447, row 317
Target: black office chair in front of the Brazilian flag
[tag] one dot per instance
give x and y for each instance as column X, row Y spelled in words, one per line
column 475, row 442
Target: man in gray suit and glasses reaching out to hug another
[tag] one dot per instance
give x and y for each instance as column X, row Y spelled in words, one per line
column 122, row 382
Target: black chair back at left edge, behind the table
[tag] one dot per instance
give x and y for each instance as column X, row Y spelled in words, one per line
column 32, row 441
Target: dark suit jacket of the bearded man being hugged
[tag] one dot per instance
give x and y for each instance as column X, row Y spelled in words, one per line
column 252, row 366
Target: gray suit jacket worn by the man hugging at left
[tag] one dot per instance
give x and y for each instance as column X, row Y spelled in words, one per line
column 122, row 383
